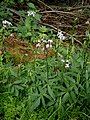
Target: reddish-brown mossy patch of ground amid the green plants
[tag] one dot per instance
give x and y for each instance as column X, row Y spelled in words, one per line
column 23, row 51
